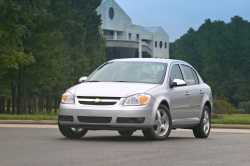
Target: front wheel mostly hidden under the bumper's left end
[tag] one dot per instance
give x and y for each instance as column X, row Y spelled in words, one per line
column 71, row 132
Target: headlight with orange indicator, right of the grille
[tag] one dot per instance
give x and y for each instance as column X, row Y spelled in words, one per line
column 137, row 100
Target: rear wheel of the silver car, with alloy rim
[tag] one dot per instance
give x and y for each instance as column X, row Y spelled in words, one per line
column 204, row 128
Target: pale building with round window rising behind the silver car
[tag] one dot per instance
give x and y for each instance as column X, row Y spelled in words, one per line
column 125, row 39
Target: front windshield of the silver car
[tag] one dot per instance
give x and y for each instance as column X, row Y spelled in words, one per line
column 134, row 72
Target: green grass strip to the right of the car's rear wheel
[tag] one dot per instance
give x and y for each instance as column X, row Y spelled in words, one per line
column 232, row 119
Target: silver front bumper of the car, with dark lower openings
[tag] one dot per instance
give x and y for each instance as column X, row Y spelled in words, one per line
column 106, row 117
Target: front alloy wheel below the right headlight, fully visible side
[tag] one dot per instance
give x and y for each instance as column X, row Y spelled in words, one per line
column 163, row 126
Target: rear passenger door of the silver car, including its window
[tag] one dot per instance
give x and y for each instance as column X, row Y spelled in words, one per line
column 193, row 91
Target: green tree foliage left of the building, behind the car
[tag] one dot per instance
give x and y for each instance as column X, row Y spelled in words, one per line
column 45, row 46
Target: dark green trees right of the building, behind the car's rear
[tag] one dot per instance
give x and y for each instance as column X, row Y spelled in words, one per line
column 221, row 53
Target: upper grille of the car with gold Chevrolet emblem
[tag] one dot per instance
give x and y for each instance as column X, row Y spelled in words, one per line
column 105, row 101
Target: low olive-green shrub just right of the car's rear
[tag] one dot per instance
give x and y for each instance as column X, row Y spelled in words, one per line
column 222, row 106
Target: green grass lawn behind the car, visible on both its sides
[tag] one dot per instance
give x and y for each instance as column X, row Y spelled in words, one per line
column 217, row 119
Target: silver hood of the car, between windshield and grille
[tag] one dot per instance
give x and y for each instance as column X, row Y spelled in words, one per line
column 110, row 89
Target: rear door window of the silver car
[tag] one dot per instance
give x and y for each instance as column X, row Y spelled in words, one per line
column 190, row 75
